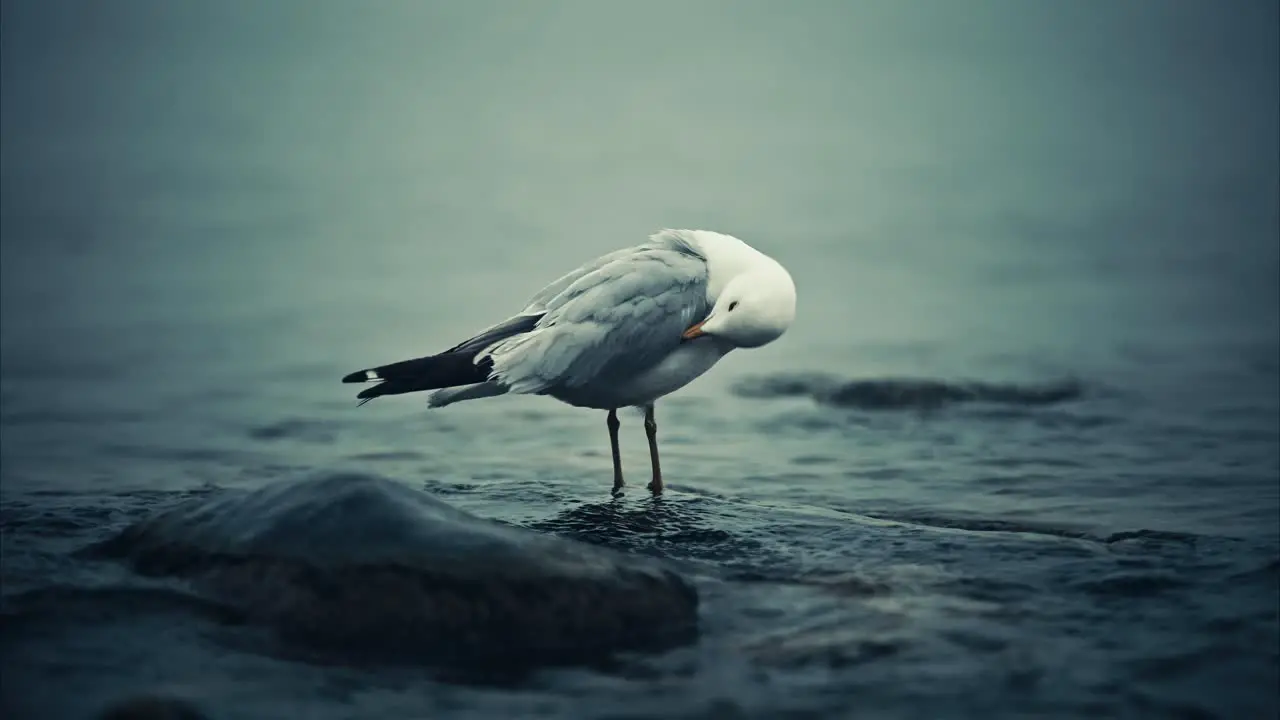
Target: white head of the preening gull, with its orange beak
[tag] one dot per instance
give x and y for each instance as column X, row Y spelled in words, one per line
column 753, row 309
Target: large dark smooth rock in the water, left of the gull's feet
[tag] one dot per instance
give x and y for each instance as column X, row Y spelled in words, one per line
column 365, row 567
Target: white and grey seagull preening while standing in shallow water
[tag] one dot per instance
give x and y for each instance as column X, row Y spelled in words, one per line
column 621, row 331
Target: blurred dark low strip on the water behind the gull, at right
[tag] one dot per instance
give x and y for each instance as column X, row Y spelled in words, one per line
column 899, row 394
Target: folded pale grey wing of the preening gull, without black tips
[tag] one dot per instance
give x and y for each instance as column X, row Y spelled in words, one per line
column 610, row 322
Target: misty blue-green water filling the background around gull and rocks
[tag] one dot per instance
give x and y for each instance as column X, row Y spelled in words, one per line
column 1020, row 455
